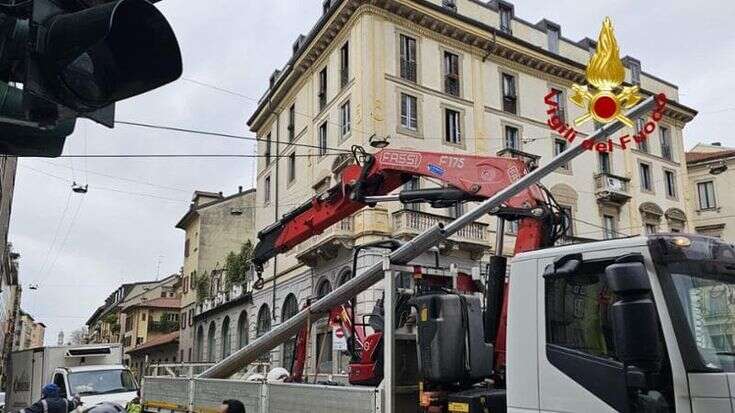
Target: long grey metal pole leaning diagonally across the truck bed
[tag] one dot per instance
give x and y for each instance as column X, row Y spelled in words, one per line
column 405, row 254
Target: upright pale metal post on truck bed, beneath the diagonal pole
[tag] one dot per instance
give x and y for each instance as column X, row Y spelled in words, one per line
column 389, row 288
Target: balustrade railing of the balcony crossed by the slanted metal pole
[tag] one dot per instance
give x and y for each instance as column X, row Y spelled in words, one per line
column 411, row 223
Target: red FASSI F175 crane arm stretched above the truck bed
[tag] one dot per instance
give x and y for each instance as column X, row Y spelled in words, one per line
column 380, row 174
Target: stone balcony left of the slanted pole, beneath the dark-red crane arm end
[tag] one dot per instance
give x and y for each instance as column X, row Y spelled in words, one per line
column 326, row 245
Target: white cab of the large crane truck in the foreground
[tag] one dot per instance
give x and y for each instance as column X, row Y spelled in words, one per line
column 636, row 324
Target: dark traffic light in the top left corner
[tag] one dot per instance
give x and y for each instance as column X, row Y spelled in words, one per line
column 74, row 60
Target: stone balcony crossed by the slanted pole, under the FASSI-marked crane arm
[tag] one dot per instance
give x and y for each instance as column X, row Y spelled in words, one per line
column 472, row 238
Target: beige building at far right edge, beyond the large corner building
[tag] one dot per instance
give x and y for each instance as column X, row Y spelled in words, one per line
column 711, row 177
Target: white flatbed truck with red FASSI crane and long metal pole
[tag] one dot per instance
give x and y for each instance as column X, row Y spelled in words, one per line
column 633, row 324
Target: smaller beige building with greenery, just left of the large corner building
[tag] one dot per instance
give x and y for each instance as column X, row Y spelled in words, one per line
column 214, row 226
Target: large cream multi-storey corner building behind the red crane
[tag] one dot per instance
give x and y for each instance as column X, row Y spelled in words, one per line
column 458, row 76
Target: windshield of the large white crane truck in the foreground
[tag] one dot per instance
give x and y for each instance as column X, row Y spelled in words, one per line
column 699, row 274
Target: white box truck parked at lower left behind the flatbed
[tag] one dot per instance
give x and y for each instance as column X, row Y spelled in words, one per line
column 94, row 373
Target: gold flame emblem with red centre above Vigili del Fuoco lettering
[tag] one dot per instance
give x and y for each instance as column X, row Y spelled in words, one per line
column 604, row 99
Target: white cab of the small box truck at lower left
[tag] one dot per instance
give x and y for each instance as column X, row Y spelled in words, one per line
column 96, row 384
